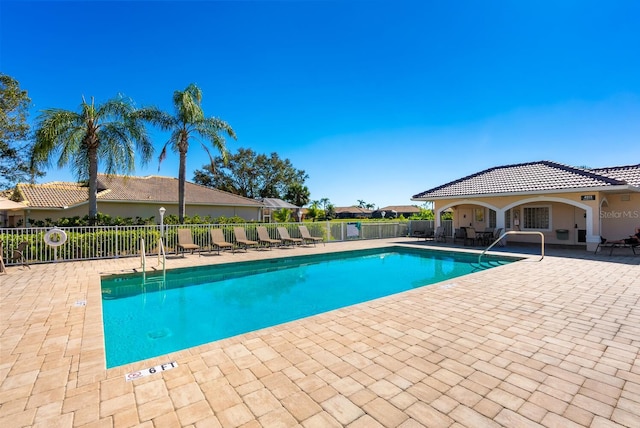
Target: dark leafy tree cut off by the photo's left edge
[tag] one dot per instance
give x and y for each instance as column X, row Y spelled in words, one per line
column 14, row 131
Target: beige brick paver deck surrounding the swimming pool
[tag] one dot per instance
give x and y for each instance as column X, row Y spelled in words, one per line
column 553, row 343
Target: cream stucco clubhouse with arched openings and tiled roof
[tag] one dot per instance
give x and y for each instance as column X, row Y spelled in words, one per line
column 569, row 205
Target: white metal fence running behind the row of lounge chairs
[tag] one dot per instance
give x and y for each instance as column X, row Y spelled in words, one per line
column 107, row 242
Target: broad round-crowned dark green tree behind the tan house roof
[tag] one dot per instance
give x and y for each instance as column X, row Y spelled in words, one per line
column 253, row 175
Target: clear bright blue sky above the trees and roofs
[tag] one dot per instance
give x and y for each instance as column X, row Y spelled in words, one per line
column 375, row 100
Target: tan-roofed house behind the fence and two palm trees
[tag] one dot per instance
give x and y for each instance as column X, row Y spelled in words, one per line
column 126, row 197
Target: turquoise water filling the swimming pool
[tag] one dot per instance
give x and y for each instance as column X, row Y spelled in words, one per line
column 148, row 317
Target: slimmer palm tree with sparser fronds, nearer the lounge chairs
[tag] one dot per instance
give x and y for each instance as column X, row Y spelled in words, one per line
column 189, row 120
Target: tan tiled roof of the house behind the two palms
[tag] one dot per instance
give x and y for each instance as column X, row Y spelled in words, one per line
column 117, row 188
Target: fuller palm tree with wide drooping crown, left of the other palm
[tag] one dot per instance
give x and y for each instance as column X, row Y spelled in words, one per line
column 110, row 134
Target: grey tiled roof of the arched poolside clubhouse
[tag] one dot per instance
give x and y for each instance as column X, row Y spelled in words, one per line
column 534, row 177
